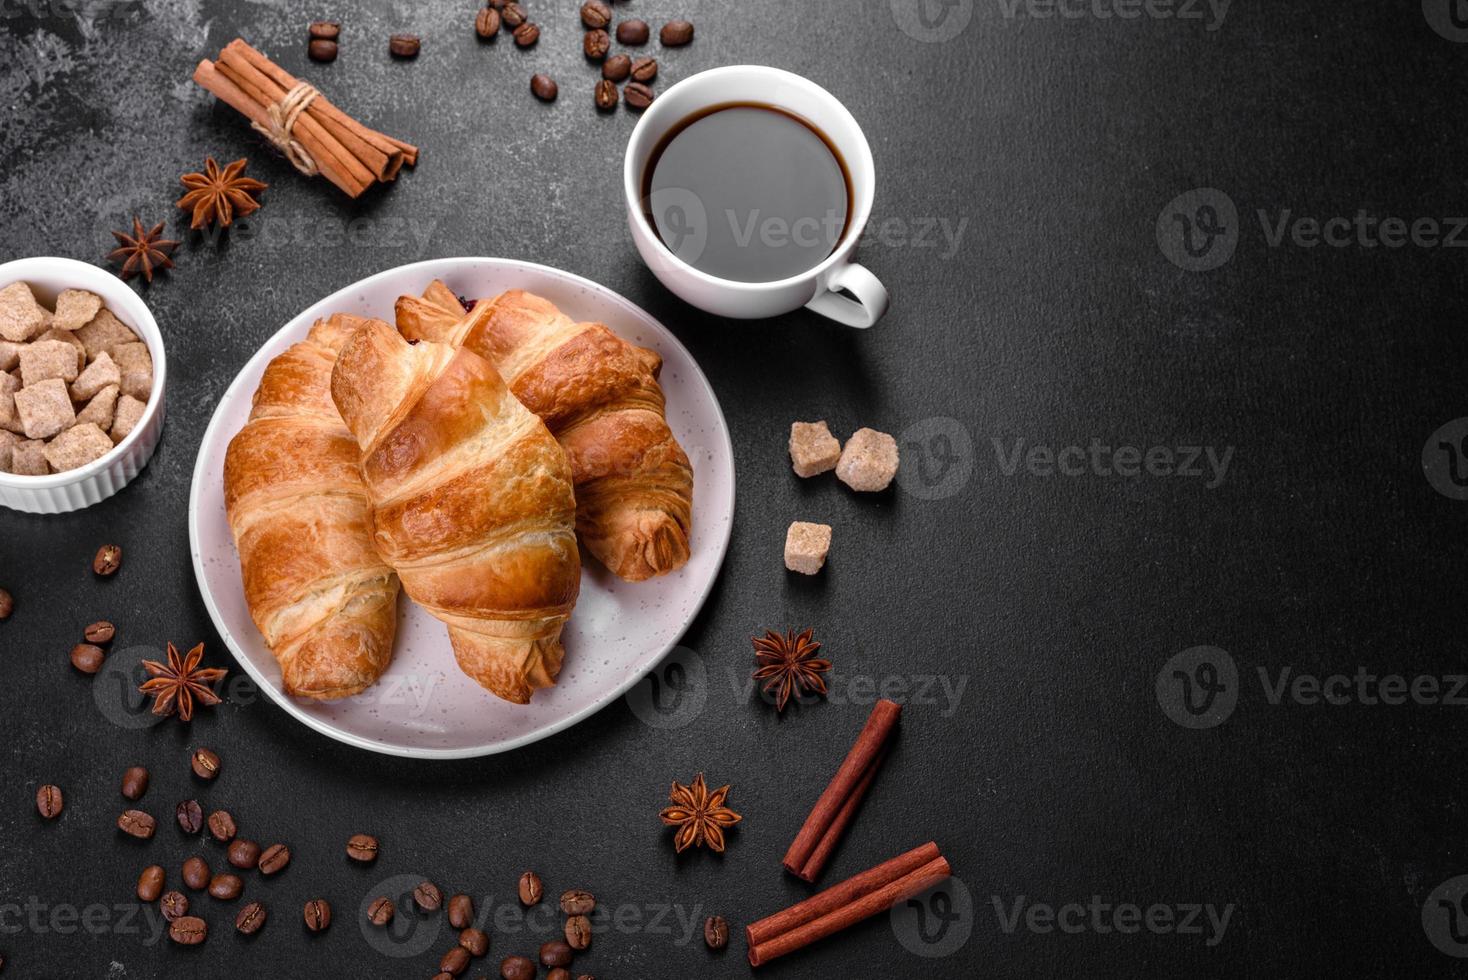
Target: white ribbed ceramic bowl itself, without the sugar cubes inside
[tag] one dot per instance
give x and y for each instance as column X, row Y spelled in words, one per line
column 101, row 479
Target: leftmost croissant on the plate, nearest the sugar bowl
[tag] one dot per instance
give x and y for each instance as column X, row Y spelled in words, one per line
column 296, row 501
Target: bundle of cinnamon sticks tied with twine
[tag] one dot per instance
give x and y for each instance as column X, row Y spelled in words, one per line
column 315, row 134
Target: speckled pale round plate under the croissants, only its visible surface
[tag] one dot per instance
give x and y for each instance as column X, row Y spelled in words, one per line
column 425, row 706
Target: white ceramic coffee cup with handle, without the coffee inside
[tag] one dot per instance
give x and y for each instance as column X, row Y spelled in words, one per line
column 818, row 288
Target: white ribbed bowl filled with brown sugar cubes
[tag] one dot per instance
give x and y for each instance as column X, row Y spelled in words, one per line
column 81, row 385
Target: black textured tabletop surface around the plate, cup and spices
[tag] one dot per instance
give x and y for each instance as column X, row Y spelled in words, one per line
column 1055, row 319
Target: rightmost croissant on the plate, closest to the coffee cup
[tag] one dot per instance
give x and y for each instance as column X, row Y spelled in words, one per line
column 600, row 397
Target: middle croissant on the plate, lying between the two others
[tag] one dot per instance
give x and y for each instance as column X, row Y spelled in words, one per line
column 472, row 502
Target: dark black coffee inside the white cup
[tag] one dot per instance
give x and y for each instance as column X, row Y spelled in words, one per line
column 748, row 193
